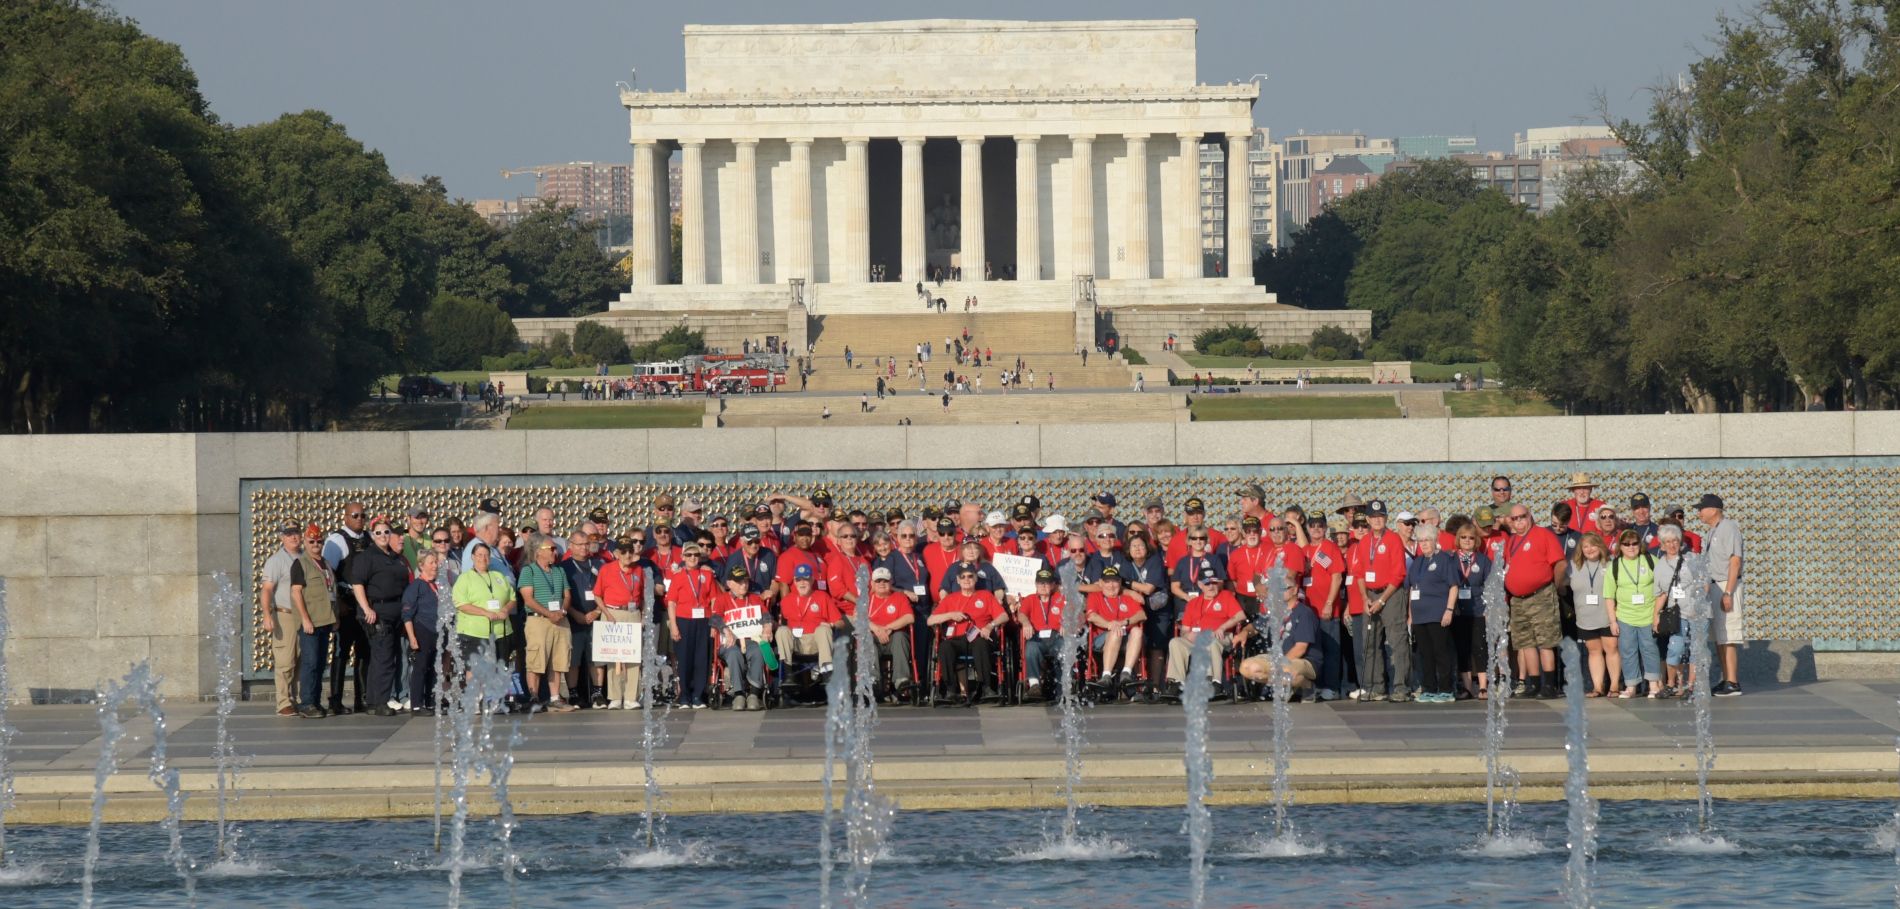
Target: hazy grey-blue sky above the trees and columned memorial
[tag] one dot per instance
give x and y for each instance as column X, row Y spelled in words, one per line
column 470, row 87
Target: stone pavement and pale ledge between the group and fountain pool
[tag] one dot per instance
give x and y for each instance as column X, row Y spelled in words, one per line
column 1829, row 739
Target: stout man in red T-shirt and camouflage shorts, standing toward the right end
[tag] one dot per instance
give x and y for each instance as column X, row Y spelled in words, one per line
column 1534, row 566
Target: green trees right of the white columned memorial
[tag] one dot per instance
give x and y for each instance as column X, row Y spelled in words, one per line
column 1747, row 261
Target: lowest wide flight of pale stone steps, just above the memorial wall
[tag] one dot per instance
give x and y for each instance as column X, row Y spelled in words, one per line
column 966, row 410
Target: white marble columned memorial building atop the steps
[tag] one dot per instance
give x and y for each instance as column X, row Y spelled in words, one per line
column 1046, row 151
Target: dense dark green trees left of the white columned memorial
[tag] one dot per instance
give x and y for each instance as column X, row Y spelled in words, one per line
column 166, row 271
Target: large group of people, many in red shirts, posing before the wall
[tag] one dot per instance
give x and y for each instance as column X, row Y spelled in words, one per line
column 968, row 604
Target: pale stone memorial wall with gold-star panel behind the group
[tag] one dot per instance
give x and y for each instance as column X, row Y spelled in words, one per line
column 109, row 543
